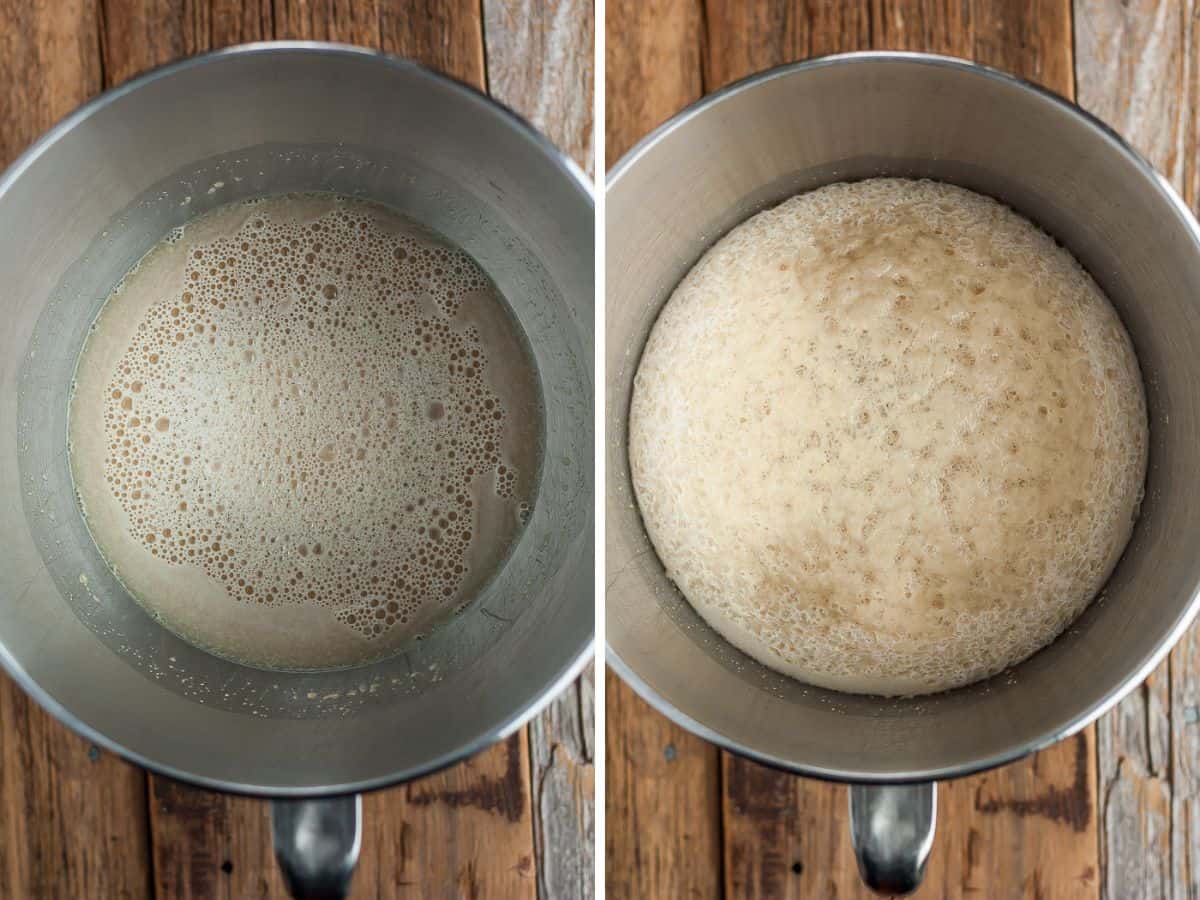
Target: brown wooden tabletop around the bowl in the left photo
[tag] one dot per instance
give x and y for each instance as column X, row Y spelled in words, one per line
column 514, row 821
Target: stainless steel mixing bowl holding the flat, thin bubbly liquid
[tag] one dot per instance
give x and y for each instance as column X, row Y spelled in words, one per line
column 80, row 209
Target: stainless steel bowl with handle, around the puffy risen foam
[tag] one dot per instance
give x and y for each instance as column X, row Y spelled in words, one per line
column 853, row 117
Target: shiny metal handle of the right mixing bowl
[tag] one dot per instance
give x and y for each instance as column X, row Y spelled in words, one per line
column 892, row 827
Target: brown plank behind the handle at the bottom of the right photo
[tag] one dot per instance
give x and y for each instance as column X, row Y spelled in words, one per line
column 1027, row 831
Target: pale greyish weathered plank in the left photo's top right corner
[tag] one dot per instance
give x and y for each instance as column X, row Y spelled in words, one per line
column 539, row 62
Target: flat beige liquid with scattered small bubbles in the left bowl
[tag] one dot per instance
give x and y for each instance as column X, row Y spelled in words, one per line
column 305, row 431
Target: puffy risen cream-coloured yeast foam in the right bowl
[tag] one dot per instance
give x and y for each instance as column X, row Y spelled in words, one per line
column 889, row 437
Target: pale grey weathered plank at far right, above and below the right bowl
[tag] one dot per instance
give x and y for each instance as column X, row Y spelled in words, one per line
column 1137, row 70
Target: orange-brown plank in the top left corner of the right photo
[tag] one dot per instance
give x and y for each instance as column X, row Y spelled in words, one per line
column 652, row 65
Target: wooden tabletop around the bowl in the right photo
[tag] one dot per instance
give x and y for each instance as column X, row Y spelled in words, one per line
column 1113, row 813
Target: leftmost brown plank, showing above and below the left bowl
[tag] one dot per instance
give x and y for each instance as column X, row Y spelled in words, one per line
column 74, row 818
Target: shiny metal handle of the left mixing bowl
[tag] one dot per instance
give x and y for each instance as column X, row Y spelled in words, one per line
column 317, row 845
